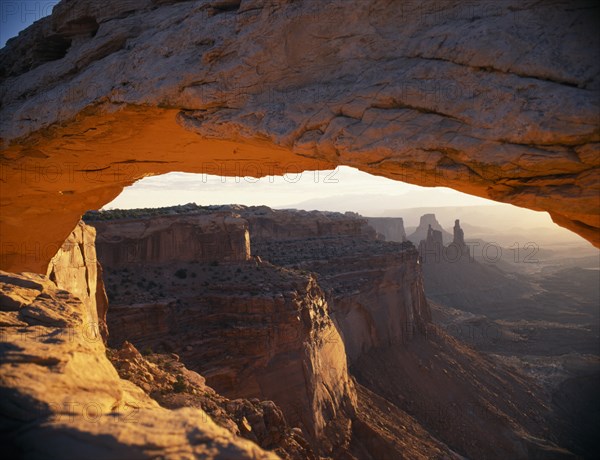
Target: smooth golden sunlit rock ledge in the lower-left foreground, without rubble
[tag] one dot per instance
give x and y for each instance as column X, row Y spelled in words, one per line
column 61, row 395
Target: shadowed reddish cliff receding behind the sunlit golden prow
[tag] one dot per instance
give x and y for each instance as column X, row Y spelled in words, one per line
column 374, row 288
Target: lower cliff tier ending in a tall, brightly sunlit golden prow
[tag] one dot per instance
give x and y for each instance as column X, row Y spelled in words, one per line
column 251, row 329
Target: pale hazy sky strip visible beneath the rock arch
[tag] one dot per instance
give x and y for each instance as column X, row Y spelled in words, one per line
column 347, row 189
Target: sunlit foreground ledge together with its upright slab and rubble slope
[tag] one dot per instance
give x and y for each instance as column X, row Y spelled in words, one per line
column 61, row 396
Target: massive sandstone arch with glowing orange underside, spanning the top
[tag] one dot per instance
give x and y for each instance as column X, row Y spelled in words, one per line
column 496, row 99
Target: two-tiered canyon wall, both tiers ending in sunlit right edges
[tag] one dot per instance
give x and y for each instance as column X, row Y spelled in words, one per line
column 253, row 330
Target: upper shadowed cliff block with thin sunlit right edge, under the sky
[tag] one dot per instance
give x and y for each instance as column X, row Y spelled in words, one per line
column 161, row 240
